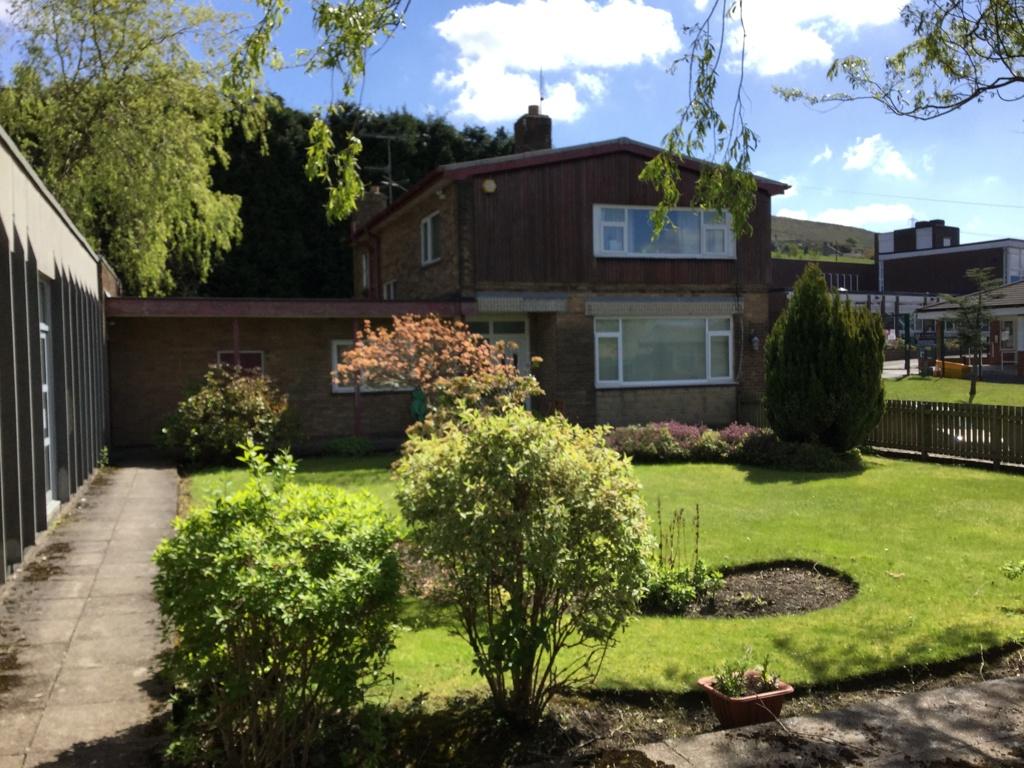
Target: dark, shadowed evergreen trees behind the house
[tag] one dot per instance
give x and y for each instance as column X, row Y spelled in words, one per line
column 287, row 249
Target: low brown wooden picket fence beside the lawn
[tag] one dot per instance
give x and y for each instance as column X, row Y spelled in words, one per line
column 993, row 434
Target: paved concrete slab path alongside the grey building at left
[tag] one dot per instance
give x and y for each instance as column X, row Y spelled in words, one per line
column 79, row 632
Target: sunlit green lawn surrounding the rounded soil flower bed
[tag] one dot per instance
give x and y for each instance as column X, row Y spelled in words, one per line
column 924, row 542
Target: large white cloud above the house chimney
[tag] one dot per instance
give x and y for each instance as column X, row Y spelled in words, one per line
column 503, row 47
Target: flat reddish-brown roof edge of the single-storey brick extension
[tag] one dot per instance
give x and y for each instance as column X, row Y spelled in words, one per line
column 294, row 309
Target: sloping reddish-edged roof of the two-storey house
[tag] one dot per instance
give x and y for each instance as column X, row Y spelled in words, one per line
column 472, row 168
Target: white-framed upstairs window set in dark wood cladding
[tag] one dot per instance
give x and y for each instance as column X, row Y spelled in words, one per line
column 626, row 232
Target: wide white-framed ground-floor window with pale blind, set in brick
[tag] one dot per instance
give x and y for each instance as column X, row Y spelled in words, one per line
column 662, row 352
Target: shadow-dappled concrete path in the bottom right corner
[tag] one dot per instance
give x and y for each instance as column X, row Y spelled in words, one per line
column 972, row 726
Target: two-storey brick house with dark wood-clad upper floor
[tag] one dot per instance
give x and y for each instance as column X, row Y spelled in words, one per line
column 553, row 247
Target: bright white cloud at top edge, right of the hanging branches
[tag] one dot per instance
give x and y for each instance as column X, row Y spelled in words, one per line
column 784, row 35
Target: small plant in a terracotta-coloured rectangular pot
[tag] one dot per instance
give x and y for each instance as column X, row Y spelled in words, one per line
column 745, row 695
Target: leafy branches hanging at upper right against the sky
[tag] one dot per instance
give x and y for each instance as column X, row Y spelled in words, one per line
column 963, row 52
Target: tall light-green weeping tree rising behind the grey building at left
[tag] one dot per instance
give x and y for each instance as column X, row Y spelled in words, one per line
column 123, row 125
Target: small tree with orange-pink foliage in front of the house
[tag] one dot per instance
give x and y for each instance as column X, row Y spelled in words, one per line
column 441, row 358
